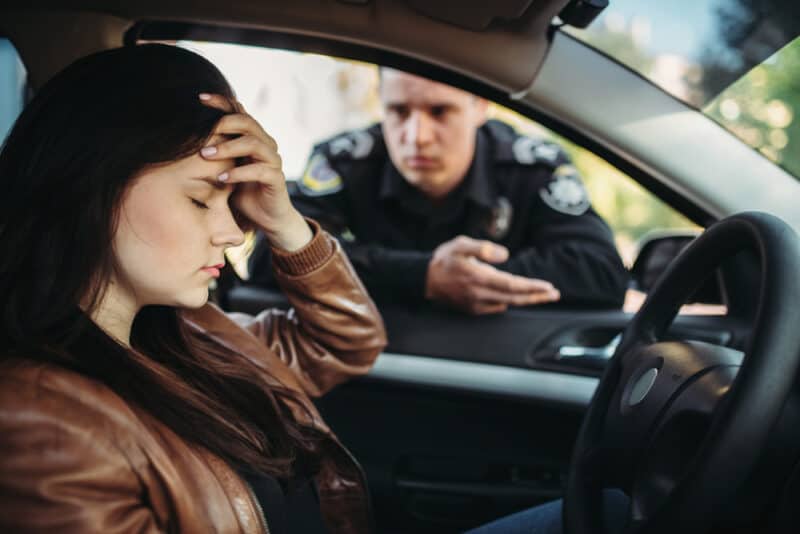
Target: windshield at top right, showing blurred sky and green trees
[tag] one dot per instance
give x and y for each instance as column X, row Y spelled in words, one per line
column 737, row 61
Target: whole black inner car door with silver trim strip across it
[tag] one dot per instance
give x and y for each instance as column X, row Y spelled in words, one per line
column 465, row 419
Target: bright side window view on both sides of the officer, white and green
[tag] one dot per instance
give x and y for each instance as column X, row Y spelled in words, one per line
column 302, row 99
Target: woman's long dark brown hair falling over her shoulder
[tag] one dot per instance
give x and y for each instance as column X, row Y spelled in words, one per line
column 64, row 169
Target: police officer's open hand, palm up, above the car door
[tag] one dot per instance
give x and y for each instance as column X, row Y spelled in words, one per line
column 459, row 274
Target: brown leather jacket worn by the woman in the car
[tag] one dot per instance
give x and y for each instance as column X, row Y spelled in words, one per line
column 75, row 457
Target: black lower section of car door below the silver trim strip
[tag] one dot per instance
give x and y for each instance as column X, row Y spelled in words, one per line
column 440, row 459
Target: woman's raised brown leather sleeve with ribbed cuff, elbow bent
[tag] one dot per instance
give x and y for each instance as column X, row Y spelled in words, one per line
column 333, row 331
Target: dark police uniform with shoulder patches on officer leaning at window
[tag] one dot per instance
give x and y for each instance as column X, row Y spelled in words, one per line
column 520, row 192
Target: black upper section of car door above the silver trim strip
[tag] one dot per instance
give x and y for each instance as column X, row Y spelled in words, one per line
column 527, row 337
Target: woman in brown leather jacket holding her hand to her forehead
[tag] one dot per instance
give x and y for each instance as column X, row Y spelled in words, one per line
column 127, row 403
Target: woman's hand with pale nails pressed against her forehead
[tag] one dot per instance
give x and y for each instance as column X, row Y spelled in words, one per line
column 260, row 198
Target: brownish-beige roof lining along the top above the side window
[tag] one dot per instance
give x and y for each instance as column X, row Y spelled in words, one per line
column 508, row 58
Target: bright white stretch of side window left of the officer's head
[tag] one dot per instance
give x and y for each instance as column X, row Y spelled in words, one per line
column 300, row 98
